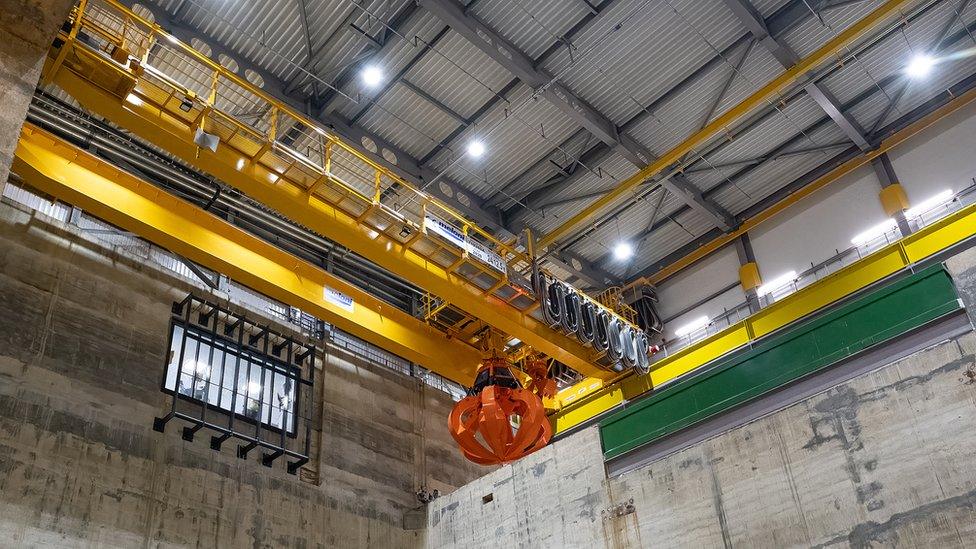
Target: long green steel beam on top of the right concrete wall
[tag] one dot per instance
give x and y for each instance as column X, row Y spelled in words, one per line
column 812, row 345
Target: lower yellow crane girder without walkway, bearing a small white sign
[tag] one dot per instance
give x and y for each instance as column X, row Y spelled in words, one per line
column 77, row 177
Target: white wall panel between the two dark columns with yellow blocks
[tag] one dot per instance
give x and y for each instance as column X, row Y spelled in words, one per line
column 813, row 229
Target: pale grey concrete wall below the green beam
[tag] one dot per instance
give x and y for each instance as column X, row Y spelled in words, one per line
column 884, row 459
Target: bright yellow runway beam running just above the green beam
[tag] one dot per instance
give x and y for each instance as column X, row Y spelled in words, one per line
column 591, row 397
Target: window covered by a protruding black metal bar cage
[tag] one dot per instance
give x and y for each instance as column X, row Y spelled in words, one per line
column 239, row 379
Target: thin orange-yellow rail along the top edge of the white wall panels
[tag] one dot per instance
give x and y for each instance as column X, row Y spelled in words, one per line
column 851, row 165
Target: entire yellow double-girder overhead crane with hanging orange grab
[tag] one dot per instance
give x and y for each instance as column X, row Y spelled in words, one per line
column 134, row 73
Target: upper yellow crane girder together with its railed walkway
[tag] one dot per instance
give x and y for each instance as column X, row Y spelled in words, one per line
column 132, row 72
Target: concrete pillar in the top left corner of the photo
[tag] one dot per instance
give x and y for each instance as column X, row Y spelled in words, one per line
column 26, row 30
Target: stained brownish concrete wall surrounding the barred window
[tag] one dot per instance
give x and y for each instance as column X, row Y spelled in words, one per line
column 82, row 341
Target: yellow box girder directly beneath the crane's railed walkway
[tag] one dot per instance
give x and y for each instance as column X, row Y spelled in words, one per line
column 89, row 79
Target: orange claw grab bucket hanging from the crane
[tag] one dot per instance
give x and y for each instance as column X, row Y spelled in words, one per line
column 482, row 423
